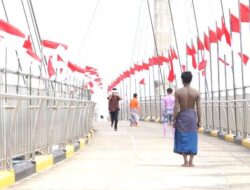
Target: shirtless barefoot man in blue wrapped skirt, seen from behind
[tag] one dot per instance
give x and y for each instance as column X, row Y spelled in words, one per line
column 186, row 120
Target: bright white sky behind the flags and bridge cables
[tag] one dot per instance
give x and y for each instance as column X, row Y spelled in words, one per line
column 111, row 35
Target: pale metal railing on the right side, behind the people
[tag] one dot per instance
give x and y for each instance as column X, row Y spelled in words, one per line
column 225, row 116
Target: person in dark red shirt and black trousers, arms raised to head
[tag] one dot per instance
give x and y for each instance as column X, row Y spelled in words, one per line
column 113, row 107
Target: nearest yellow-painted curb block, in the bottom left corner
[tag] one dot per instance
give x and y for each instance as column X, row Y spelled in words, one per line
column 7, row 178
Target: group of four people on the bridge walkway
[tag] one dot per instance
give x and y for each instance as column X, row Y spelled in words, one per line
column 181, row 114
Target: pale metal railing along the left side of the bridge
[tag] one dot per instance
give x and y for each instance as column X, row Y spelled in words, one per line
column 29, row 124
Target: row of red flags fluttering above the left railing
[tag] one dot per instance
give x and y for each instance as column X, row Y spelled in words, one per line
column 51, row 61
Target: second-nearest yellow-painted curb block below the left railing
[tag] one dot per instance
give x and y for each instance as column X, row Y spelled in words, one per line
column 43, row 162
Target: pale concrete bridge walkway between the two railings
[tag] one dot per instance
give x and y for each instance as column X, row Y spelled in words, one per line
column 140, row 159
